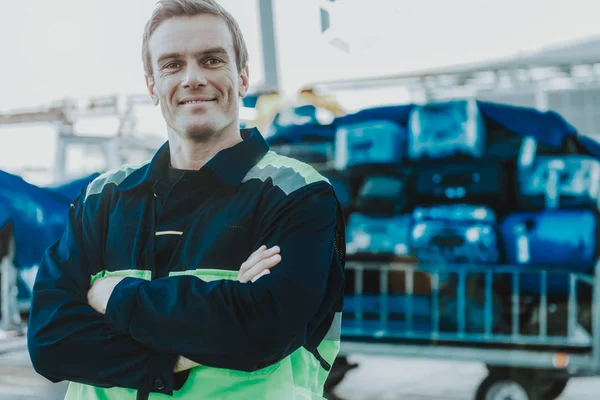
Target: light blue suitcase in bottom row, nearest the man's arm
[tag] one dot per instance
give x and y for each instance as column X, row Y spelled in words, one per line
column 377, row 237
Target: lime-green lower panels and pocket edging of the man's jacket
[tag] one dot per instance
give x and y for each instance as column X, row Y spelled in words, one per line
column 299, row 375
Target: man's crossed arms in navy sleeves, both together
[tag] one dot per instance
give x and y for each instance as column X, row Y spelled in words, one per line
column 147, row 326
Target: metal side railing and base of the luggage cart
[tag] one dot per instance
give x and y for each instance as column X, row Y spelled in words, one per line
column 557, row 356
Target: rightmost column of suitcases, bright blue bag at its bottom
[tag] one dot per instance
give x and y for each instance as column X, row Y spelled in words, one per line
column 556, row 222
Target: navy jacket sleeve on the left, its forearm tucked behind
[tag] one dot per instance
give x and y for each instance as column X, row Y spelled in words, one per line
column 67, row 338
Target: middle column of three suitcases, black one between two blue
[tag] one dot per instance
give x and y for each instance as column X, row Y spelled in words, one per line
column 459, row 192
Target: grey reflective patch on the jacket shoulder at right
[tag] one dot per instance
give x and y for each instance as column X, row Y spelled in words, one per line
column 286, row 173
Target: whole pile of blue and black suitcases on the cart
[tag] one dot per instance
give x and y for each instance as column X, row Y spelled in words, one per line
column 449, row 187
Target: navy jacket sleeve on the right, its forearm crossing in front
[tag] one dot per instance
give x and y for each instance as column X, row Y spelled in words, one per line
column 243, row 326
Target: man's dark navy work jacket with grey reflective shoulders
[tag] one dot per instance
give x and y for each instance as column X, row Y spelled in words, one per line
column 244, row 197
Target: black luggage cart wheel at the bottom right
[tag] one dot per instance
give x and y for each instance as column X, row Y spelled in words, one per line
column 502, row 384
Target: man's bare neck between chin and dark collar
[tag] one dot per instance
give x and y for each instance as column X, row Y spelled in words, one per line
column 190, row 154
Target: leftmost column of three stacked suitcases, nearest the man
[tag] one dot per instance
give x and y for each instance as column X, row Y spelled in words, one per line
column 371, row 151
